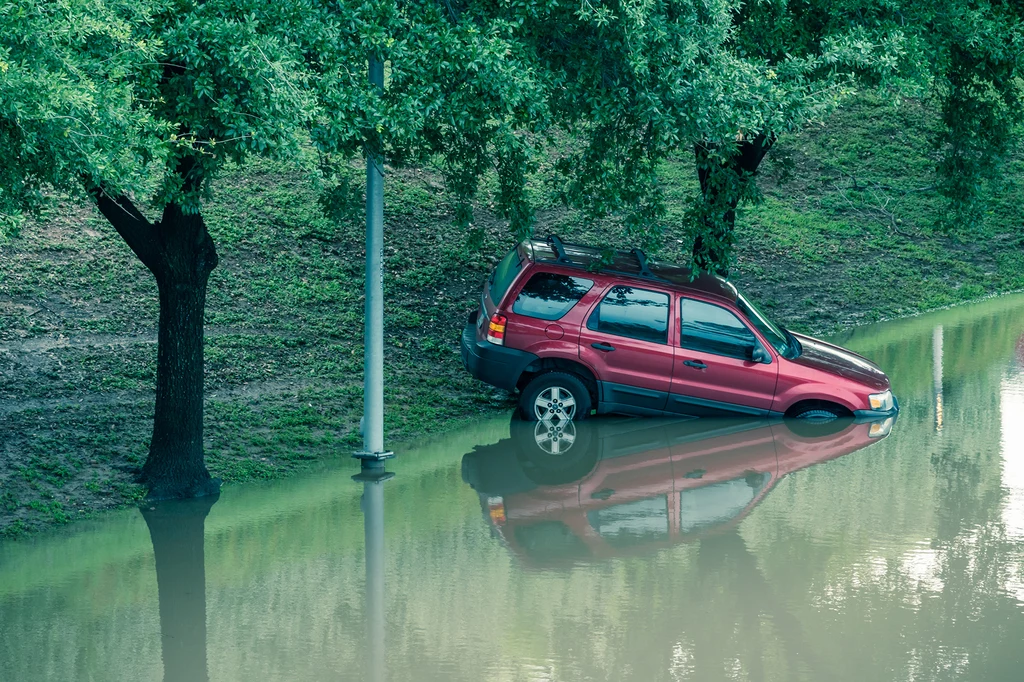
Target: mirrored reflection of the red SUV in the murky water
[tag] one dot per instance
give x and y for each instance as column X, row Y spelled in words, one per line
column 564, row 493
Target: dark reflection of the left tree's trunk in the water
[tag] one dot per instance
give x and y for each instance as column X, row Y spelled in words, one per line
column 177, row 529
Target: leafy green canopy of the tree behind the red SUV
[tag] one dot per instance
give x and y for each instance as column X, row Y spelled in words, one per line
column 611, row 91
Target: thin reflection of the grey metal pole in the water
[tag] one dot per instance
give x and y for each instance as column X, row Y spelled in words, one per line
column 373, row 478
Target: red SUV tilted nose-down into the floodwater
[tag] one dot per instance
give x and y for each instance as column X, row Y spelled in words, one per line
column 577, row 331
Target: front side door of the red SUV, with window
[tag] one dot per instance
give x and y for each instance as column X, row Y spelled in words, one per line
column 714, row 371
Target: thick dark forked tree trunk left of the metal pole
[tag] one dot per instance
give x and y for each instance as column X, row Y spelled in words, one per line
column 181, row 254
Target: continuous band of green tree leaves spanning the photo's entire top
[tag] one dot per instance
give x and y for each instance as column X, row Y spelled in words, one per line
column 598, row 93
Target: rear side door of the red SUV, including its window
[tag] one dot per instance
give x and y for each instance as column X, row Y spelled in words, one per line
column 626, row 342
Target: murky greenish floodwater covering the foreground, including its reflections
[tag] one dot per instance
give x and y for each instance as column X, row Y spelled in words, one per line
column 627, row 550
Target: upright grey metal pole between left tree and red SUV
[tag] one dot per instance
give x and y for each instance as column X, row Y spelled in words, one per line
column 373, row 337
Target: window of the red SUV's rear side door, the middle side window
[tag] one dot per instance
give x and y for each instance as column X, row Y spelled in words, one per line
column 633, row 313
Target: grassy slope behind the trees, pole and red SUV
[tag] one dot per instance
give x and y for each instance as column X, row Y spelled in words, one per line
column 846, row 235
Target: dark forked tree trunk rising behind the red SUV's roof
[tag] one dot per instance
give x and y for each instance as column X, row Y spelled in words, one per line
column 710, row 254
